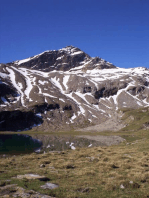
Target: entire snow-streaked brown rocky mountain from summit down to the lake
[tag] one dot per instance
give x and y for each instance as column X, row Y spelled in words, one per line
column 67, row 89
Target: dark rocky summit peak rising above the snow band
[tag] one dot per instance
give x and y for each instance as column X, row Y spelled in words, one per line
column 64, row 59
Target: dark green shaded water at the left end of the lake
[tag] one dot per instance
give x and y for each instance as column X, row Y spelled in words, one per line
column 18, row 144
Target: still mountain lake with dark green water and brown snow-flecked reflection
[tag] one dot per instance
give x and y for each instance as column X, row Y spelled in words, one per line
column 18, row 144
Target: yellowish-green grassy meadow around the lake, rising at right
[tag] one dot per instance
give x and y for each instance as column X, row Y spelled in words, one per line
column 115, row 171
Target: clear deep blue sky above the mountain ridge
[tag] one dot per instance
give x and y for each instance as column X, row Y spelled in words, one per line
column 116, row 30
